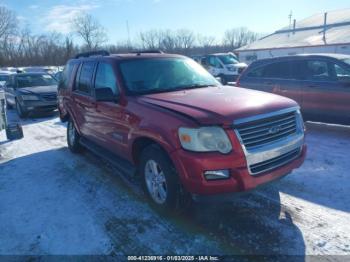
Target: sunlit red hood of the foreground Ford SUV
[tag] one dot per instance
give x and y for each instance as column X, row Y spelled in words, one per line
column 218, row 105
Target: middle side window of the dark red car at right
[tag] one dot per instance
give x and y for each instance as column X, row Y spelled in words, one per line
column 317, row 70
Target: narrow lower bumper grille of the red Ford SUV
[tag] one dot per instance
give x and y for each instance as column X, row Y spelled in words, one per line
column 274, row 162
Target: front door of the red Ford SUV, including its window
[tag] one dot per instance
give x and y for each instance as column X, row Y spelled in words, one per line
column 112, row 126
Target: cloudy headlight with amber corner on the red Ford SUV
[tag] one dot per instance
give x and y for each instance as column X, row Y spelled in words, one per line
column 205, row 139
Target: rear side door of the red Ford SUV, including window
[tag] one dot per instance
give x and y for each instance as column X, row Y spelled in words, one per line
column 83, row 101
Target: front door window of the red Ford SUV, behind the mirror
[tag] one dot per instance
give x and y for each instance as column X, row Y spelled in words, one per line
column 105, row 77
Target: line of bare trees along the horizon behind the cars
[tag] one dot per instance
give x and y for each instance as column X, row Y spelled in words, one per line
column 20, row 47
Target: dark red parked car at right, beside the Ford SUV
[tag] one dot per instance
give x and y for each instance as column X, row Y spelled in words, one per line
column 320, row 83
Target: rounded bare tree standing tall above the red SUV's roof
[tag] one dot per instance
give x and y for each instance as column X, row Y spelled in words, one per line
column 90, row 30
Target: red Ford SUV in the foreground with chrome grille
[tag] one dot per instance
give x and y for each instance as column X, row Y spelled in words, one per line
column 166, row 119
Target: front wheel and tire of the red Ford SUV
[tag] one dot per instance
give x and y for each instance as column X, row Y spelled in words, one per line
column 164, row 189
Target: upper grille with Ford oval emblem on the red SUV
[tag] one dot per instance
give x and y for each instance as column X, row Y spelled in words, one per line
column 267, row 130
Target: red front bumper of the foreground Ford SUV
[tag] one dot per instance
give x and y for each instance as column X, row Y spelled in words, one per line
column 191, row 167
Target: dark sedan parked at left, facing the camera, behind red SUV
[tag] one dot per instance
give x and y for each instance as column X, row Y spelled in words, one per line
column 31, row 92
